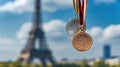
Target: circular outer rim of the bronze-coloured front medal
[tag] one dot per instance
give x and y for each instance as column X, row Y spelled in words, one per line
column 79, row 32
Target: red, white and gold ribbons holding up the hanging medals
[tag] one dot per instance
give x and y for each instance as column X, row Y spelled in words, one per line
column 80, row 7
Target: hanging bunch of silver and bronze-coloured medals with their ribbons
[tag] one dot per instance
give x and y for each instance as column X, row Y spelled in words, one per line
column 76, row 27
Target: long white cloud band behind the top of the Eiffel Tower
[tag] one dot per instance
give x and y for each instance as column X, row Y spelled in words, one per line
column 27, row 5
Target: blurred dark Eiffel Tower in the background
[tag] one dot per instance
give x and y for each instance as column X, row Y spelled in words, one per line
column 30, row 52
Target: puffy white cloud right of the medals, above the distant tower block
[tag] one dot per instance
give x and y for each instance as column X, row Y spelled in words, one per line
column 111, row 32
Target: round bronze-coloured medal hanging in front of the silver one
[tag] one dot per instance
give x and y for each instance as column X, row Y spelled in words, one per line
column 82, row 41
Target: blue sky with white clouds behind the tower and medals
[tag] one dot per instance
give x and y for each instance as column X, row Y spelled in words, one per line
column 103, row 23
